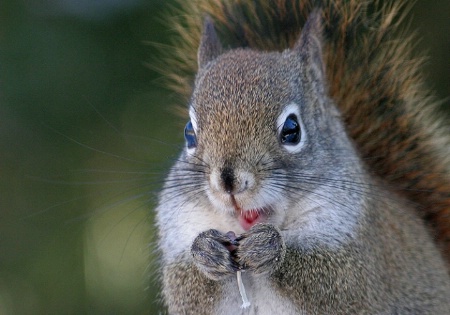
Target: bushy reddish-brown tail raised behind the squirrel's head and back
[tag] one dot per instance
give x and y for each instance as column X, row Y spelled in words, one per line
column 372, row 76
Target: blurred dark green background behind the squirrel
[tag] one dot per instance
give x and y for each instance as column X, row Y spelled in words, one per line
column 87, row 132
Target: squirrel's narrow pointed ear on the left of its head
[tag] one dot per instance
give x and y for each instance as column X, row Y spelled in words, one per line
column 210, row 46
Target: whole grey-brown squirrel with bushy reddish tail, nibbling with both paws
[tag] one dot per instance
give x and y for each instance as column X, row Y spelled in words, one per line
column 314, row 164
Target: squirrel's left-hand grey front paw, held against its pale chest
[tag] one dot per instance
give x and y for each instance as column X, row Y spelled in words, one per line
column 212, row 252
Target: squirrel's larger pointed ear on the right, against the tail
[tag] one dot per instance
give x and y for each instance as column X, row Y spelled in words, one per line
column 309, row 45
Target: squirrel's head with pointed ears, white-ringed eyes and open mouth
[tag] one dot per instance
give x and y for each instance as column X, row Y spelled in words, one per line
column 259, row 121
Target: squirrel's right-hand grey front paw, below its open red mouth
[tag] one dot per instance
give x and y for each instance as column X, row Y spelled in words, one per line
column 261, row 249
